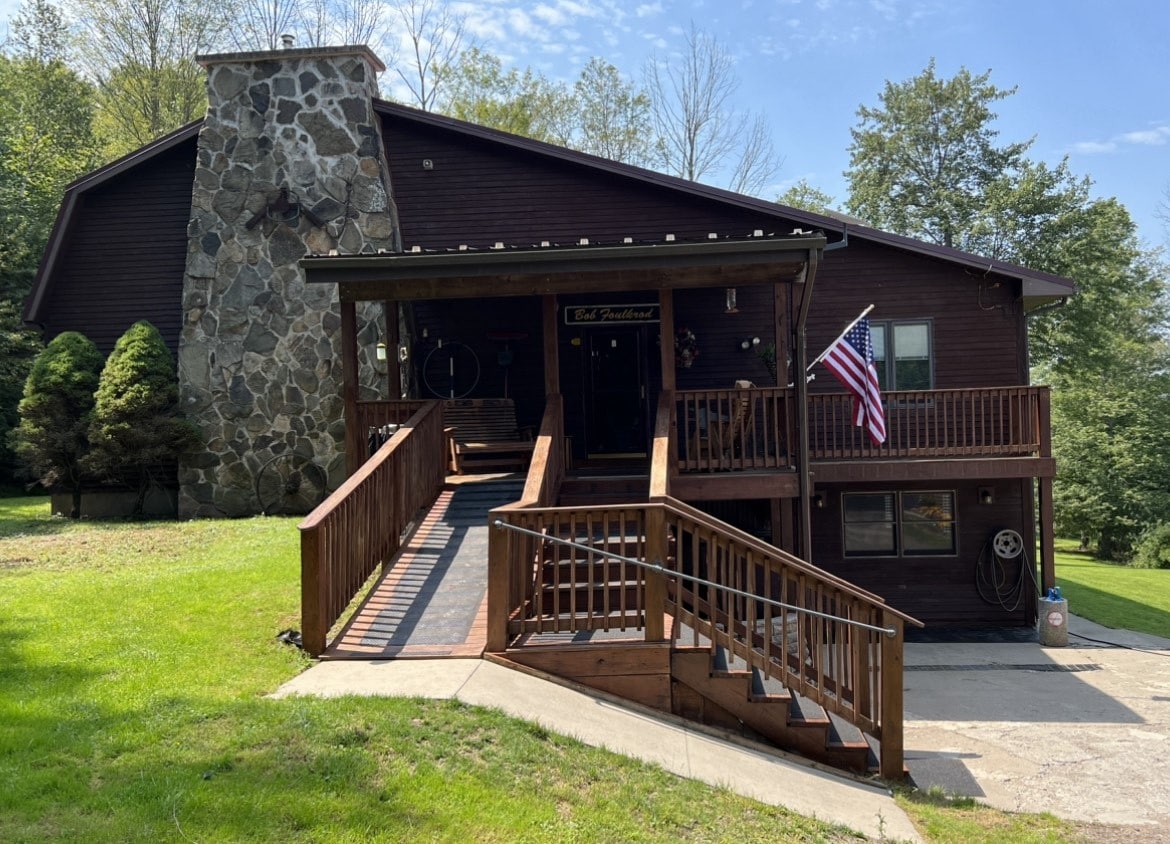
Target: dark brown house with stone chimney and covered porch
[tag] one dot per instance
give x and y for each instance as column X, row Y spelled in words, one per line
column 635, row 320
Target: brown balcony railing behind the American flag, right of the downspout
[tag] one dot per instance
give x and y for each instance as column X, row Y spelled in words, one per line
column 979, row 423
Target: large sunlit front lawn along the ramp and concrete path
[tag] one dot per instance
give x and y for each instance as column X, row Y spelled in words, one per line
column 135, row 661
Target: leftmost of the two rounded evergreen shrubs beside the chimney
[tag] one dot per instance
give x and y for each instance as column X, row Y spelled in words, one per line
column 56, row 414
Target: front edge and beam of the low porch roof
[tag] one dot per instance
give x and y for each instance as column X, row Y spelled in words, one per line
column 556, row 270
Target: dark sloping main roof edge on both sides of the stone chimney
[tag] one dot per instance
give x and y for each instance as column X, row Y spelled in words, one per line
column 1037, row 287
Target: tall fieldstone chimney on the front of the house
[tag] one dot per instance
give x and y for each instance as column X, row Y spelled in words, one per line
column 291, row 162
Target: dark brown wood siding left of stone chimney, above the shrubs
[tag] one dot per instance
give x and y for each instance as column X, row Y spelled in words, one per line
column 126, row 253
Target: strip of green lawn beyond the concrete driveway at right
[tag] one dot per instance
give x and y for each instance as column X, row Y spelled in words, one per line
column 1113, row 595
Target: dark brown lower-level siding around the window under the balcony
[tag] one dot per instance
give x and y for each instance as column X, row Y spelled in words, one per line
column 944, row 589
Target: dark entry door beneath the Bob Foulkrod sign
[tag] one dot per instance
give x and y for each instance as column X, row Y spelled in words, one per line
column 616, row 393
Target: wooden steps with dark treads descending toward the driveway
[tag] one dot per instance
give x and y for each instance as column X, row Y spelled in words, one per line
column 710, row 687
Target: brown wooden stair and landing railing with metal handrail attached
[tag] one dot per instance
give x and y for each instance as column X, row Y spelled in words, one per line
column 582, row 579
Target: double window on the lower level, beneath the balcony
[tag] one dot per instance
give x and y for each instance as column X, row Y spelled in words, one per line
column 891, row 525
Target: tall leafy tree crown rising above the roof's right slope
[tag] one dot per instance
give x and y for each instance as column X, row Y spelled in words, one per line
column 924, row 162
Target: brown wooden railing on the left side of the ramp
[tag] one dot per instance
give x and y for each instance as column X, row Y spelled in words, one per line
column 361, row 526
